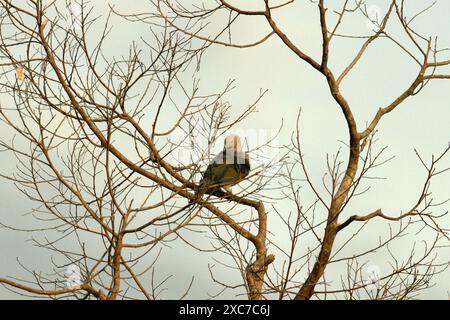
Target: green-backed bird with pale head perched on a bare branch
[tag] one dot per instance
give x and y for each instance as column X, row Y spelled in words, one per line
column 228, row 168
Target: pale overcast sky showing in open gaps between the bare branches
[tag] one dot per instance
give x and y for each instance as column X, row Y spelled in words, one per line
column 421, row 122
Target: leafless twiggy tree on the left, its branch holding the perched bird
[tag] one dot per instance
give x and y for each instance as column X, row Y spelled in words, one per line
column 95, row 154
